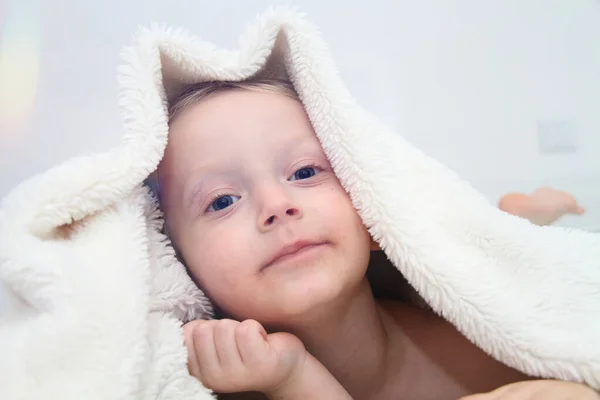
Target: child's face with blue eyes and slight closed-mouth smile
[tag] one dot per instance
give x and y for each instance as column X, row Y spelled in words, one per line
column 244, row 181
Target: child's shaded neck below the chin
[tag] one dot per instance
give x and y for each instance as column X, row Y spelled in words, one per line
column 351, row 340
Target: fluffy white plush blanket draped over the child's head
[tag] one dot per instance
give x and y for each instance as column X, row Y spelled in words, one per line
column 100, row 297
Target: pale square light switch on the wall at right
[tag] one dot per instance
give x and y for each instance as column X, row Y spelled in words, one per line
column 557, row 136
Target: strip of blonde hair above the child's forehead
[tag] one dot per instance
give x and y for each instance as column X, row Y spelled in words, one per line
column 200, row 91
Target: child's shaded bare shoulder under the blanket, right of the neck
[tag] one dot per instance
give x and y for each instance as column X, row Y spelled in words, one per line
column 437, row 360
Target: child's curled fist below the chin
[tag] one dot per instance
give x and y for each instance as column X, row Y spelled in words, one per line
column 229, row 356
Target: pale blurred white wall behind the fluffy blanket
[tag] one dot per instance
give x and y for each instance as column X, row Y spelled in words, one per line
column 505, row 92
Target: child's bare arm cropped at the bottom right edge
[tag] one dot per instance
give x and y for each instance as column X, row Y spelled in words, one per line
column 542, row 389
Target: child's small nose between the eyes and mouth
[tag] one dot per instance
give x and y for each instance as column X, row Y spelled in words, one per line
column 278, row 207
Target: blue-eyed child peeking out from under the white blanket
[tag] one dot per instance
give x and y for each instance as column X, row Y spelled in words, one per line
column 267, row 231
